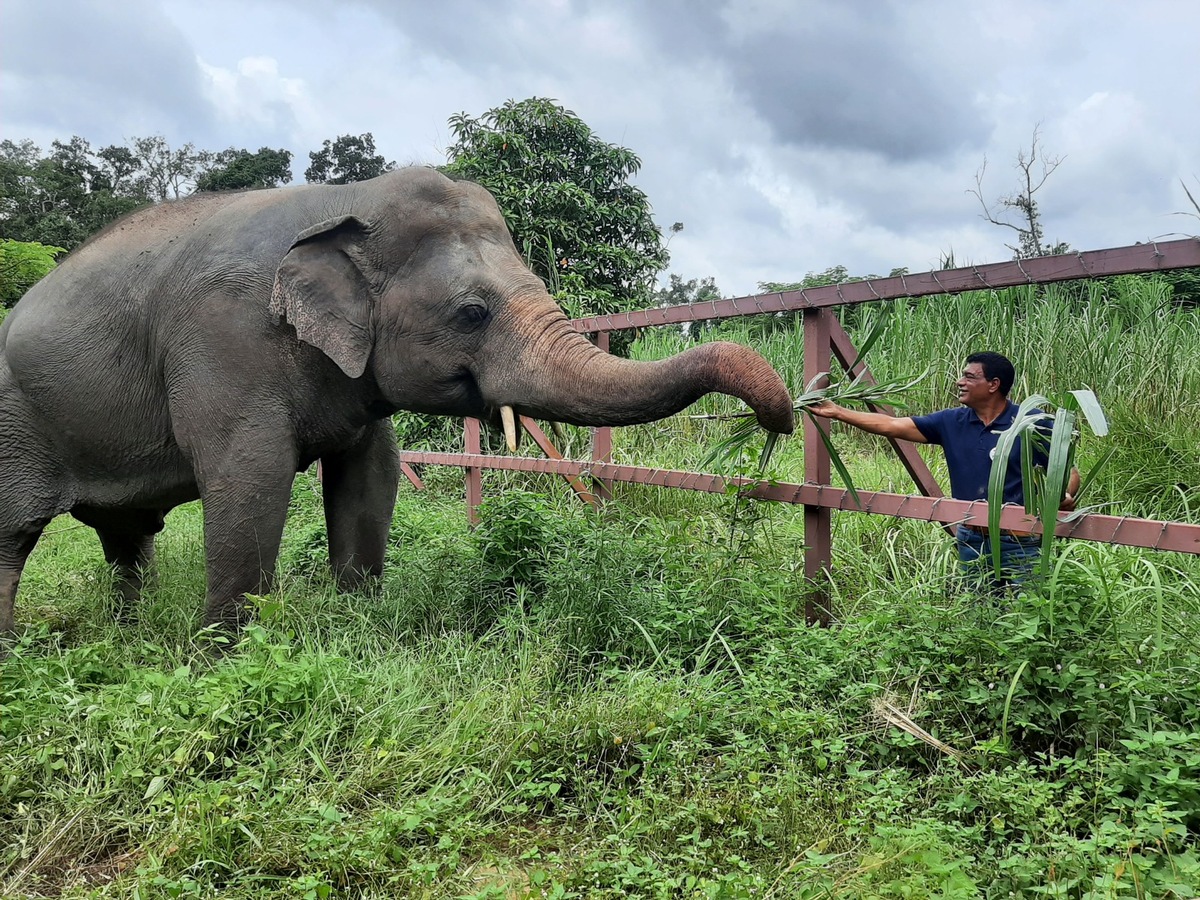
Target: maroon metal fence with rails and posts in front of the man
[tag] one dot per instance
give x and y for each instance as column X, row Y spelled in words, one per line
column 824, row 343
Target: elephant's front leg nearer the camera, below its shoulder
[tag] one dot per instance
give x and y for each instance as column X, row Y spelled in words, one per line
column 244, row 520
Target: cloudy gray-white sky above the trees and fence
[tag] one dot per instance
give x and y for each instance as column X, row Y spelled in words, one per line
column 788, row 136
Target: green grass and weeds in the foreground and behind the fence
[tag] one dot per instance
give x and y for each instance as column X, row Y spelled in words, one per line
column 567, row 703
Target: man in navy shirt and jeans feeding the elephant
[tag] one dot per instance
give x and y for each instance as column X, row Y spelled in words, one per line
column 969, row 435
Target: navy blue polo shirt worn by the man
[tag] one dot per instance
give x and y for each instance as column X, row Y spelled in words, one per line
column 970, row 446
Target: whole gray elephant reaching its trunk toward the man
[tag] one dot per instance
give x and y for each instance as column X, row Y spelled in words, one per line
column 214, row 347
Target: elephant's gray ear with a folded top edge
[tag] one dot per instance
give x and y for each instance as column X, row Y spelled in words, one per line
column 323, row 295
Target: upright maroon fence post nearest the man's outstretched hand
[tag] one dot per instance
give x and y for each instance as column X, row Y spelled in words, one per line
column 818, row 520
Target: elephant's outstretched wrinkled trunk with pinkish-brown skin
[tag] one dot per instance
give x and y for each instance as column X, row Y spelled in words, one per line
column 567, row 379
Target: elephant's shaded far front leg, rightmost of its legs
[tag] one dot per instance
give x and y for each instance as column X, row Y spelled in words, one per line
column 359, row 488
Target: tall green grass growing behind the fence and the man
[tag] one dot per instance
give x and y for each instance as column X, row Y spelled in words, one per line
column 1124, row 338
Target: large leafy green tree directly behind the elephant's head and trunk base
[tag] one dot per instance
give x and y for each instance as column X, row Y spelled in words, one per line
column 567, row 199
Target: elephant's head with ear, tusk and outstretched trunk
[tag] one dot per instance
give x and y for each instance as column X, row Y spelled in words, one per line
column 416, row 283
